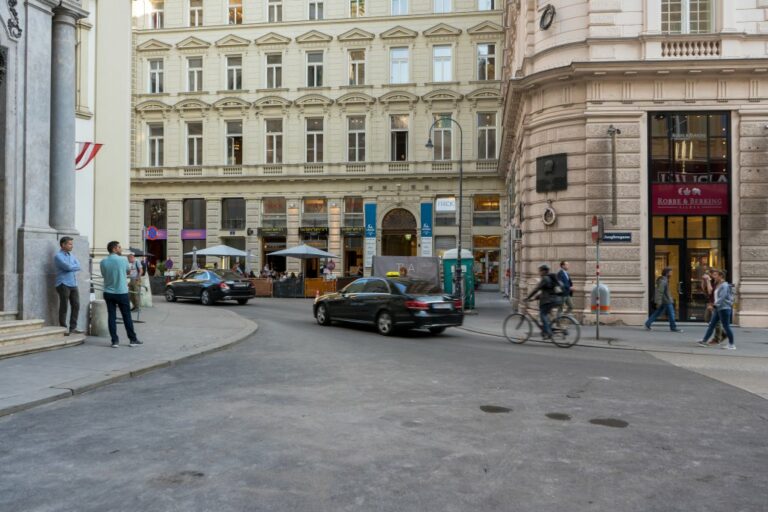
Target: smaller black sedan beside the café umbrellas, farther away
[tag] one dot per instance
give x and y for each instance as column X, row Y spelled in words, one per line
column 210, row 286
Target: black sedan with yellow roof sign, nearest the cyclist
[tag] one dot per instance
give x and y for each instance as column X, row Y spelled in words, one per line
column 389, row 304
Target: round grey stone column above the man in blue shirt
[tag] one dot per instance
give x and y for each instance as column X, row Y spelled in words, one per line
column 62, row 194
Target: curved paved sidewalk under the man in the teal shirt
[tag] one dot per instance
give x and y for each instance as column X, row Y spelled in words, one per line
column 170, row 332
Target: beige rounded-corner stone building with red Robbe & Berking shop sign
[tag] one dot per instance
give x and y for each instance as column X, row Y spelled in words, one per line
column 654, row 115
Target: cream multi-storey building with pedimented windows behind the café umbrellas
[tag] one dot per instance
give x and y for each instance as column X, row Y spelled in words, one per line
column 263, row 124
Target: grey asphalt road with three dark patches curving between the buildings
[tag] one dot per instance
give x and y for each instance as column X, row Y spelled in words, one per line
column 308, row 418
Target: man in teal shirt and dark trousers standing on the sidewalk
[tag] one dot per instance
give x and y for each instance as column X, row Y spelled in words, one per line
column 114, row 270
